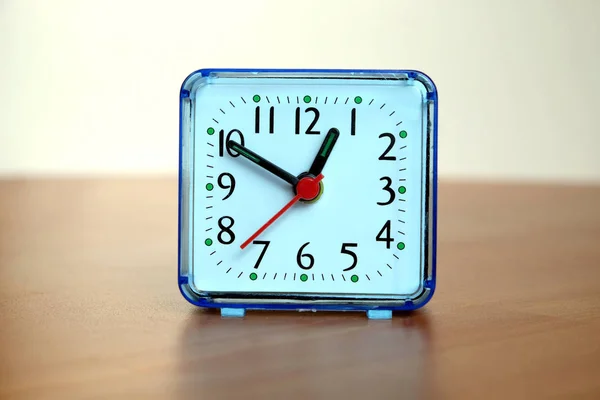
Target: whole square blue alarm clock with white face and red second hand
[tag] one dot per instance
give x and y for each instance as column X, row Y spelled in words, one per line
column 307, row 190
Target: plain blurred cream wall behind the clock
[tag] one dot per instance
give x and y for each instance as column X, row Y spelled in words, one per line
column 91, row 87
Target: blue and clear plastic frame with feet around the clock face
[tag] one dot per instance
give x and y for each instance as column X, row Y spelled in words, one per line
column 373, row 312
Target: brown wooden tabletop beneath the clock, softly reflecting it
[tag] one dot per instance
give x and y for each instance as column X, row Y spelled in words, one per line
column 89, row 306
